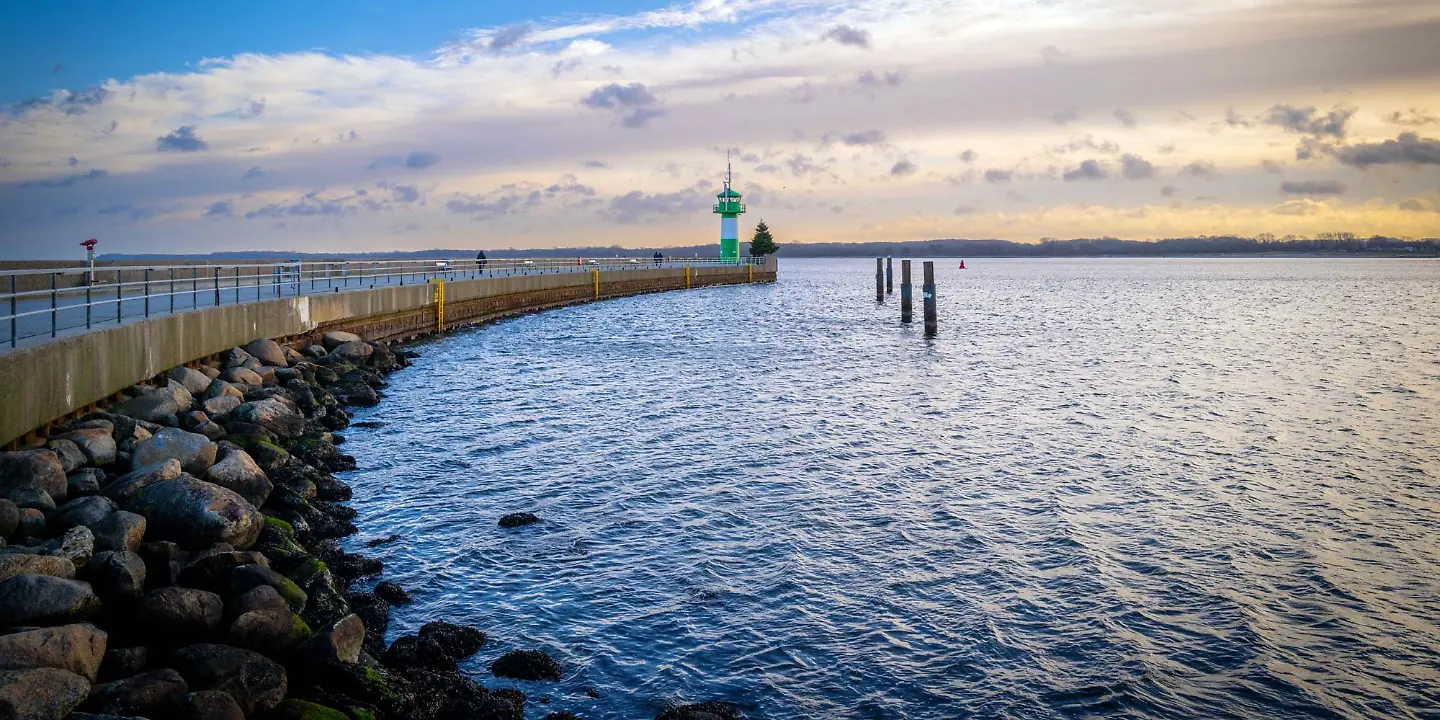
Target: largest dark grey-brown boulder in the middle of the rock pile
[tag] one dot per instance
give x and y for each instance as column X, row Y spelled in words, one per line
column 197, row 515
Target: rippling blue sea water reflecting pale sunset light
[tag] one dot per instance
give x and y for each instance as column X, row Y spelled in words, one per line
column 1137, row 489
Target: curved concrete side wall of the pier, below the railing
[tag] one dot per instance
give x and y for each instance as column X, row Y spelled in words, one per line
column 51, row 382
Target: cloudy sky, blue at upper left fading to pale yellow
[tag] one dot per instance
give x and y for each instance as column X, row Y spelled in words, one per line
column 371, row 126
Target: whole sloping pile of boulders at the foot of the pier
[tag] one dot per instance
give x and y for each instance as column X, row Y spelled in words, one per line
column 175, row 558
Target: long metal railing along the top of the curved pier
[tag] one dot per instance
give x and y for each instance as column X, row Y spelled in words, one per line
column 53, row 302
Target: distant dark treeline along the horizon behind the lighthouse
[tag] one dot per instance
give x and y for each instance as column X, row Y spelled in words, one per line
column 955, row 248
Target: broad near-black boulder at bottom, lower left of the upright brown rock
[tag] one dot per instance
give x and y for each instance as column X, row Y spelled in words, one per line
column 251, row 679
